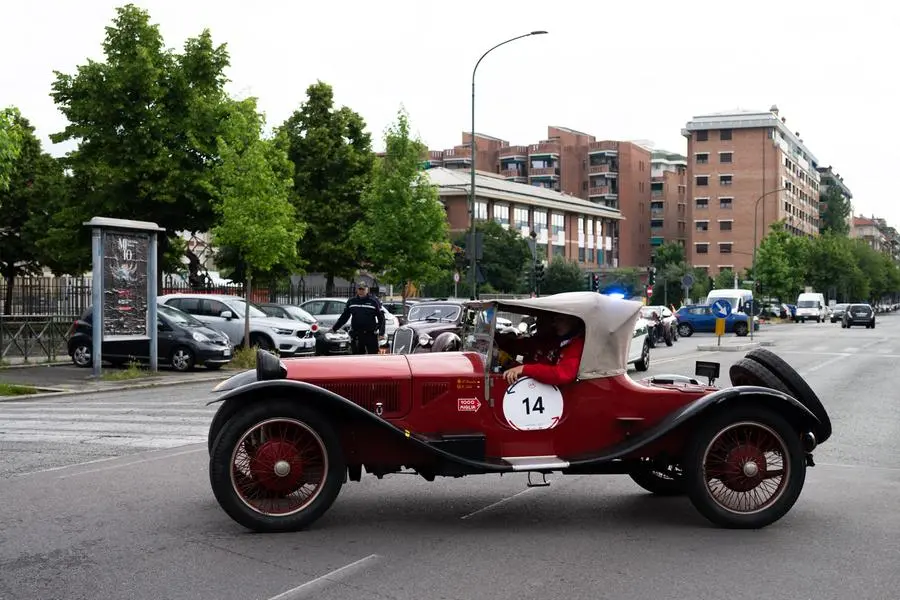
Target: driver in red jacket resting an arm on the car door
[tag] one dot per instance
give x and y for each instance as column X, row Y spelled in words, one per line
column 557, row 357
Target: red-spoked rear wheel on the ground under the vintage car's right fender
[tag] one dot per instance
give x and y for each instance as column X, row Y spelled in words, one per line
column 745, row 468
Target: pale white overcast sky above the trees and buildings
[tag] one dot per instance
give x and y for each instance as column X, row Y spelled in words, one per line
column 617, row 70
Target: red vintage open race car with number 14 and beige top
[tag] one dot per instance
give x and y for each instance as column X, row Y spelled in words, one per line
column 291, row 433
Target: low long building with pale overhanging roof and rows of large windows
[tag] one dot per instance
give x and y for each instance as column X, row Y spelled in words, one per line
column 566, row 226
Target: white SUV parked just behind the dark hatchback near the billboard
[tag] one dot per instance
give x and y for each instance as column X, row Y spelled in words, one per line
column 226, row 314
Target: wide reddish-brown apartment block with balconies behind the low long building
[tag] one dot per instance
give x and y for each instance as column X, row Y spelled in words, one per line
column 605, row 173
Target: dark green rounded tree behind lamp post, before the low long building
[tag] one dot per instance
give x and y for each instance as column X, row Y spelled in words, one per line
column 506, row 255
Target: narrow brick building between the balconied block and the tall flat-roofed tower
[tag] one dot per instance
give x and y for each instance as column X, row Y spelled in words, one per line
column 668, row 199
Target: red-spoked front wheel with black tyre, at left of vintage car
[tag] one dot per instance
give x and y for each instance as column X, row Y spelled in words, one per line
column 276, row 467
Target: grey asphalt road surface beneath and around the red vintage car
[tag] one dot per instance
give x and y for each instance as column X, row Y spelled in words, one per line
column 145, row 524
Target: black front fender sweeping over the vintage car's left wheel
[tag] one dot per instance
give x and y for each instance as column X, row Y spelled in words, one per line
column 337, row 408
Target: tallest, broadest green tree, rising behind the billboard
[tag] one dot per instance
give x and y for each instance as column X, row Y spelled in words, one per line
column 148, row 121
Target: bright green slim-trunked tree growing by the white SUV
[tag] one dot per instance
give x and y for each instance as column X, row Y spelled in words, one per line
column 256, row 217
